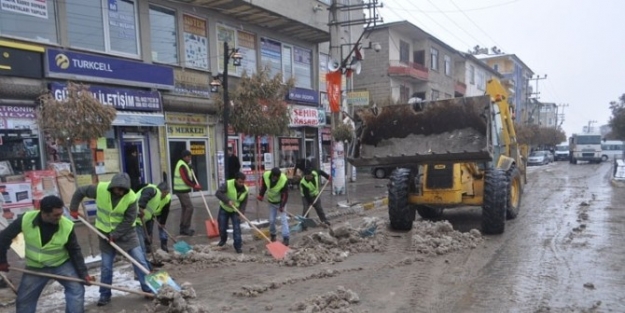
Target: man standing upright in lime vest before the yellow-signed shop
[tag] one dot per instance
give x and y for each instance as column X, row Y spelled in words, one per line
column 184, row 182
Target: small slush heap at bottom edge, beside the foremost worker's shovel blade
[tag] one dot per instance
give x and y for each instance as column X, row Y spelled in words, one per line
column 171, row 301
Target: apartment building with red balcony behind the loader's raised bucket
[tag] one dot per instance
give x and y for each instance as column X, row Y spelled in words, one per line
column 411, row 63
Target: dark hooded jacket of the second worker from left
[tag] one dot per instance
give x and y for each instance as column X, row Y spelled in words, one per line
column 124, row 234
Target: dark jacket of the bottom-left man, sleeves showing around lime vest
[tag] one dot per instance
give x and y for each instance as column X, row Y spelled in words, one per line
column 47, row 230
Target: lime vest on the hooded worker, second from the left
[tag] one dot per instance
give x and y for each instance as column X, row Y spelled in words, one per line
column 107, row 217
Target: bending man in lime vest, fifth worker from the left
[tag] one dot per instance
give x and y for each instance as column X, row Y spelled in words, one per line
column 232, row 194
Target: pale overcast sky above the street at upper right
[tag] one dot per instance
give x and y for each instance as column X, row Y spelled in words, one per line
column 579, row 45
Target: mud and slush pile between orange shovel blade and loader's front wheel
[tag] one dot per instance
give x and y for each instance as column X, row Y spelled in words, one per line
column 336, row 245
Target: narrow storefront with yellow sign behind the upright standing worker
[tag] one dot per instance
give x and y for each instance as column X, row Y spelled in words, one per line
column 190, row 132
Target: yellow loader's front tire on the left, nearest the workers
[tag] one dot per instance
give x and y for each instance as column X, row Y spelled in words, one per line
column 400, row 212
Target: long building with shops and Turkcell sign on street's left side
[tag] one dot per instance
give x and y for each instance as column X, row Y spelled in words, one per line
column 153, row 61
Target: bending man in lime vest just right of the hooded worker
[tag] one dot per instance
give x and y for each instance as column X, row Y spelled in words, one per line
column 154, row 204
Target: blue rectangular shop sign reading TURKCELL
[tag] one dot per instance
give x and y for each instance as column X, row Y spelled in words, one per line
column 95, row 68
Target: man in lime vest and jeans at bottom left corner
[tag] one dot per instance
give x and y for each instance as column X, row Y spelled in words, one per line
column 51, row 248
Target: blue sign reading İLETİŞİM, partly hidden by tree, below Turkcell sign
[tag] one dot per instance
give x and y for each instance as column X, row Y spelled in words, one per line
column 121, row 98
